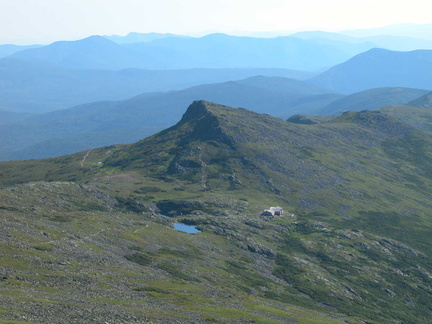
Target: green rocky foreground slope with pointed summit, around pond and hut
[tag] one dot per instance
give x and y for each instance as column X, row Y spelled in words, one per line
column 83, row 234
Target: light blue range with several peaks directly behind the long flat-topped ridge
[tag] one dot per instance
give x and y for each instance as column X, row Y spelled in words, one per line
column 211, row 51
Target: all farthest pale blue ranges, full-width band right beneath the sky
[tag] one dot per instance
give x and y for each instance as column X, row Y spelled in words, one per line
column 308, row 50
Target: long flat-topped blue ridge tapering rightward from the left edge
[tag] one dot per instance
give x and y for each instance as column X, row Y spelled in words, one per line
column 35, row 86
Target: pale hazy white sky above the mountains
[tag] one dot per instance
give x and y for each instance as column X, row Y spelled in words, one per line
column 44, row 21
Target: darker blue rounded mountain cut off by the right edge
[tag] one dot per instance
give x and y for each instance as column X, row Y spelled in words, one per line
column 378, row 68
